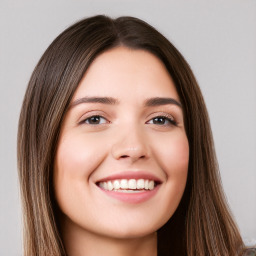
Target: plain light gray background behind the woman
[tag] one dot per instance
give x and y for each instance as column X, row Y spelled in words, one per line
column 218, row 39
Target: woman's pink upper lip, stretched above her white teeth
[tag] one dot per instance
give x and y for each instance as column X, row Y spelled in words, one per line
column 131, row 175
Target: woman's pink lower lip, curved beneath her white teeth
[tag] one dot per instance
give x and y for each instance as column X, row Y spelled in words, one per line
column 132, row 198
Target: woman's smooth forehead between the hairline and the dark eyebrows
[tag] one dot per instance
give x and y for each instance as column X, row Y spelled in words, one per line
column 122, row 71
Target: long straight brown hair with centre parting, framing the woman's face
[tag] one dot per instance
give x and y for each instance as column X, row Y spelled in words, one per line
column 202, row 224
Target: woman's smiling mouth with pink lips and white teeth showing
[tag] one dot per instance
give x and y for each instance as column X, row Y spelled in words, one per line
column 130, row 187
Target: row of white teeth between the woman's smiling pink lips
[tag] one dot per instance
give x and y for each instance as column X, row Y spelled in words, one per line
column 128, row 186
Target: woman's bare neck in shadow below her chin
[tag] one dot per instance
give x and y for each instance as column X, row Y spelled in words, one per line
column 80, row 242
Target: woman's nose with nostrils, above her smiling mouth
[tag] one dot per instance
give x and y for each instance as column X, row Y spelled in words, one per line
column 131, row 145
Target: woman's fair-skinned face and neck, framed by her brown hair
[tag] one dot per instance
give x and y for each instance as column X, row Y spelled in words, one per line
column 125, row 122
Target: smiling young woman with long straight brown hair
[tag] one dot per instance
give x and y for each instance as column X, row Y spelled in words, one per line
column 115, row 150
